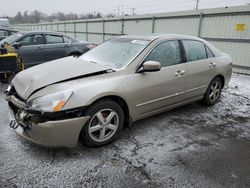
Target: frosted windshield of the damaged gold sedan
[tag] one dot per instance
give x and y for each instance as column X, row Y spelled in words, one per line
column 115, row 53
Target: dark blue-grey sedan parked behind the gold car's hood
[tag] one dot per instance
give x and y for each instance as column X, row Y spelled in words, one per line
column 36, row 47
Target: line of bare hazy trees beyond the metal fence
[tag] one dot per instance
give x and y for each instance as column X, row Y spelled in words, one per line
column 37, row 17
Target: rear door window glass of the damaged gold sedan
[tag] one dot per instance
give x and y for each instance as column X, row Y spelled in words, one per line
column 195, row 50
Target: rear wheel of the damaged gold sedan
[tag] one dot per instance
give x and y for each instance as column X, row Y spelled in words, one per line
column 213, row 92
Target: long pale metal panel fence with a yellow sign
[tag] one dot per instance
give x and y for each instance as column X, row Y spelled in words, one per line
column 219, row 26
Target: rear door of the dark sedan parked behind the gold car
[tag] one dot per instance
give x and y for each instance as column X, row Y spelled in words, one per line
column 55, row 47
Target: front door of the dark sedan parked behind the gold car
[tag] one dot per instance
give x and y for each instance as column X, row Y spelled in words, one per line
column 29, row 51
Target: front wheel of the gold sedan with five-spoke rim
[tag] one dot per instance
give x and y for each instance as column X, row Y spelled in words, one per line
column 105, row 123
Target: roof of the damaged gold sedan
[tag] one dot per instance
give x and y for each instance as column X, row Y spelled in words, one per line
column 155, row 36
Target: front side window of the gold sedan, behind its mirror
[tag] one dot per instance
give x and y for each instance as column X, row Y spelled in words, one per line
column 166, row 53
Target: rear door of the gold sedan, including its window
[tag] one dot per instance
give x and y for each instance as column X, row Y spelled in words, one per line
column 200, row 67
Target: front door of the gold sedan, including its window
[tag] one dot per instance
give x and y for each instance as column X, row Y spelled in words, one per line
column 159, row 90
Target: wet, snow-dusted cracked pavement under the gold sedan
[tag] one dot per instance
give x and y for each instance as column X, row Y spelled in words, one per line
column 192, row 146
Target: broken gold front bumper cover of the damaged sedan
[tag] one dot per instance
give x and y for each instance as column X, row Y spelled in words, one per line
column 60, row 133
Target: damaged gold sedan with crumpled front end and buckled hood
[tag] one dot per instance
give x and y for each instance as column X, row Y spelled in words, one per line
column 120, row 81
